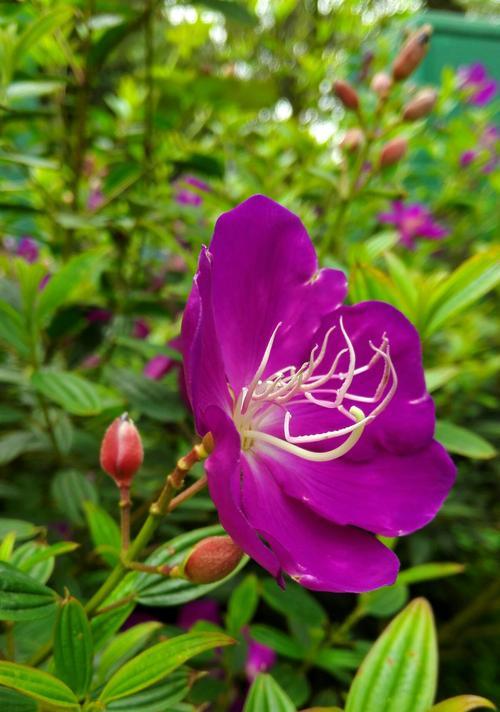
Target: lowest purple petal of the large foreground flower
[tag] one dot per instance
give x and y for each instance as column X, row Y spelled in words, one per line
column 318, row 554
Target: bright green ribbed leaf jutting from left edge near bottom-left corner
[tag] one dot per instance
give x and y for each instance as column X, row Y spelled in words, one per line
column 37, row 684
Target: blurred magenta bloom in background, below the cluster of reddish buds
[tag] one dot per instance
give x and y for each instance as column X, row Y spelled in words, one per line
column 413, row 220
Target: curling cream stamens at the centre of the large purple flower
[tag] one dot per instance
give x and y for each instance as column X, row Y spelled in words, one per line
column 325, row 388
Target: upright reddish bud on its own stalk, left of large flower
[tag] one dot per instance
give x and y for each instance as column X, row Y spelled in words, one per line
column 121, row 450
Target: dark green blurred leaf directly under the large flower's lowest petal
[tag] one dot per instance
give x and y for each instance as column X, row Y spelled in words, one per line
column 294, row 601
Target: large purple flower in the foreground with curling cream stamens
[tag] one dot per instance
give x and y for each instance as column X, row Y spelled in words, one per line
column 322, row 425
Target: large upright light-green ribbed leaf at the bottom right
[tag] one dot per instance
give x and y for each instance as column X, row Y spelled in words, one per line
column 399, row 674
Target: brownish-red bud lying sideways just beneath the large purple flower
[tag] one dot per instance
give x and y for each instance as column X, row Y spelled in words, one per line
column 212, row 559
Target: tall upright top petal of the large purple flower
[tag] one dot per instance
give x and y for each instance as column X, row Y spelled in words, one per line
column 265, row 271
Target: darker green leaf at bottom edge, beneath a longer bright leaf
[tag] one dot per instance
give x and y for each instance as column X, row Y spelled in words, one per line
column 158, row 698
